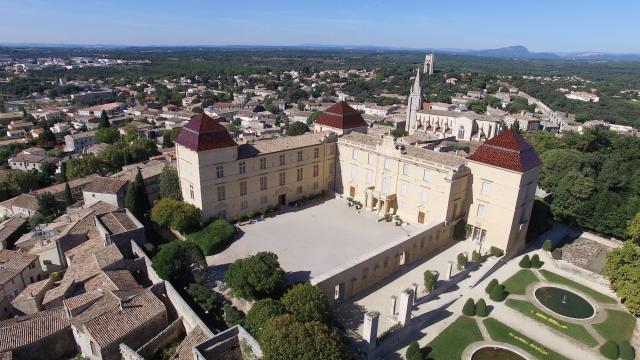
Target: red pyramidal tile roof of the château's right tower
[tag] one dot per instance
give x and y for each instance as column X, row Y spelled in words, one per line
column 509, row 151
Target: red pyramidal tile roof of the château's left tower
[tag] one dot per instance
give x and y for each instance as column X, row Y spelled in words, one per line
column 204, row 133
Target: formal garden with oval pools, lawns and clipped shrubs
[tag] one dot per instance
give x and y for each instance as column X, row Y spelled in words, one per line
column 571, row 309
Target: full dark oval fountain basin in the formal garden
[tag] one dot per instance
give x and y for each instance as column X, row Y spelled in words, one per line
column 564, row 302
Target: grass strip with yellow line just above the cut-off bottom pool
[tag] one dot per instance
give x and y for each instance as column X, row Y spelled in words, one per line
column 503, row 333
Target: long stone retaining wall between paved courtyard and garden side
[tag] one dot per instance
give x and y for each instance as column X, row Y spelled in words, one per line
column 361, row 273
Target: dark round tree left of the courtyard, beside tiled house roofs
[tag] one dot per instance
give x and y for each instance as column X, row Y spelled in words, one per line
column 180, row 262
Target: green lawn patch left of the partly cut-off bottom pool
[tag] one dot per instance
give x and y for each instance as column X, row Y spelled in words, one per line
column 453, row 340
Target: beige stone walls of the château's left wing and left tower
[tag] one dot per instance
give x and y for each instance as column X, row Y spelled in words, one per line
column 205, row 183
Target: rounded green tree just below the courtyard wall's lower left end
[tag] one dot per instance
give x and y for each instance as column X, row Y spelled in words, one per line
column 307, row 303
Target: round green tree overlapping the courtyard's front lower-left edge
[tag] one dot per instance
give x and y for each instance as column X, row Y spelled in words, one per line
column 256, row 277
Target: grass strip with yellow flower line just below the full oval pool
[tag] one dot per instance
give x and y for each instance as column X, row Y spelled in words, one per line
column 575, row 331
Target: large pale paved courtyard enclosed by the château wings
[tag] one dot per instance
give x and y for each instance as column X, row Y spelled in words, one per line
column 312, row 239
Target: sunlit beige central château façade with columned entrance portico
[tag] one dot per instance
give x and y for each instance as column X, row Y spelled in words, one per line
column 418, row 186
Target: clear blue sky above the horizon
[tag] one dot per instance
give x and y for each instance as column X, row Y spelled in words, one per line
column 543, row 25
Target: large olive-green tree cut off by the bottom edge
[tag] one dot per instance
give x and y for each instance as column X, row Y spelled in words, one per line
column 284, row 338
